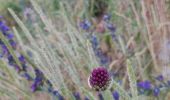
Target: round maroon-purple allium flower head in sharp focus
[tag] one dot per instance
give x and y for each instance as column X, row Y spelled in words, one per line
column 99, row 79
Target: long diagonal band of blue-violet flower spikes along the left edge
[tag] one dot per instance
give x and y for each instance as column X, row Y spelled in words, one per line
column 39, row 80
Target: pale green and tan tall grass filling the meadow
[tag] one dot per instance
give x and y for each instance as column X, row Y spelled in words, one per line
column 66, row 57
